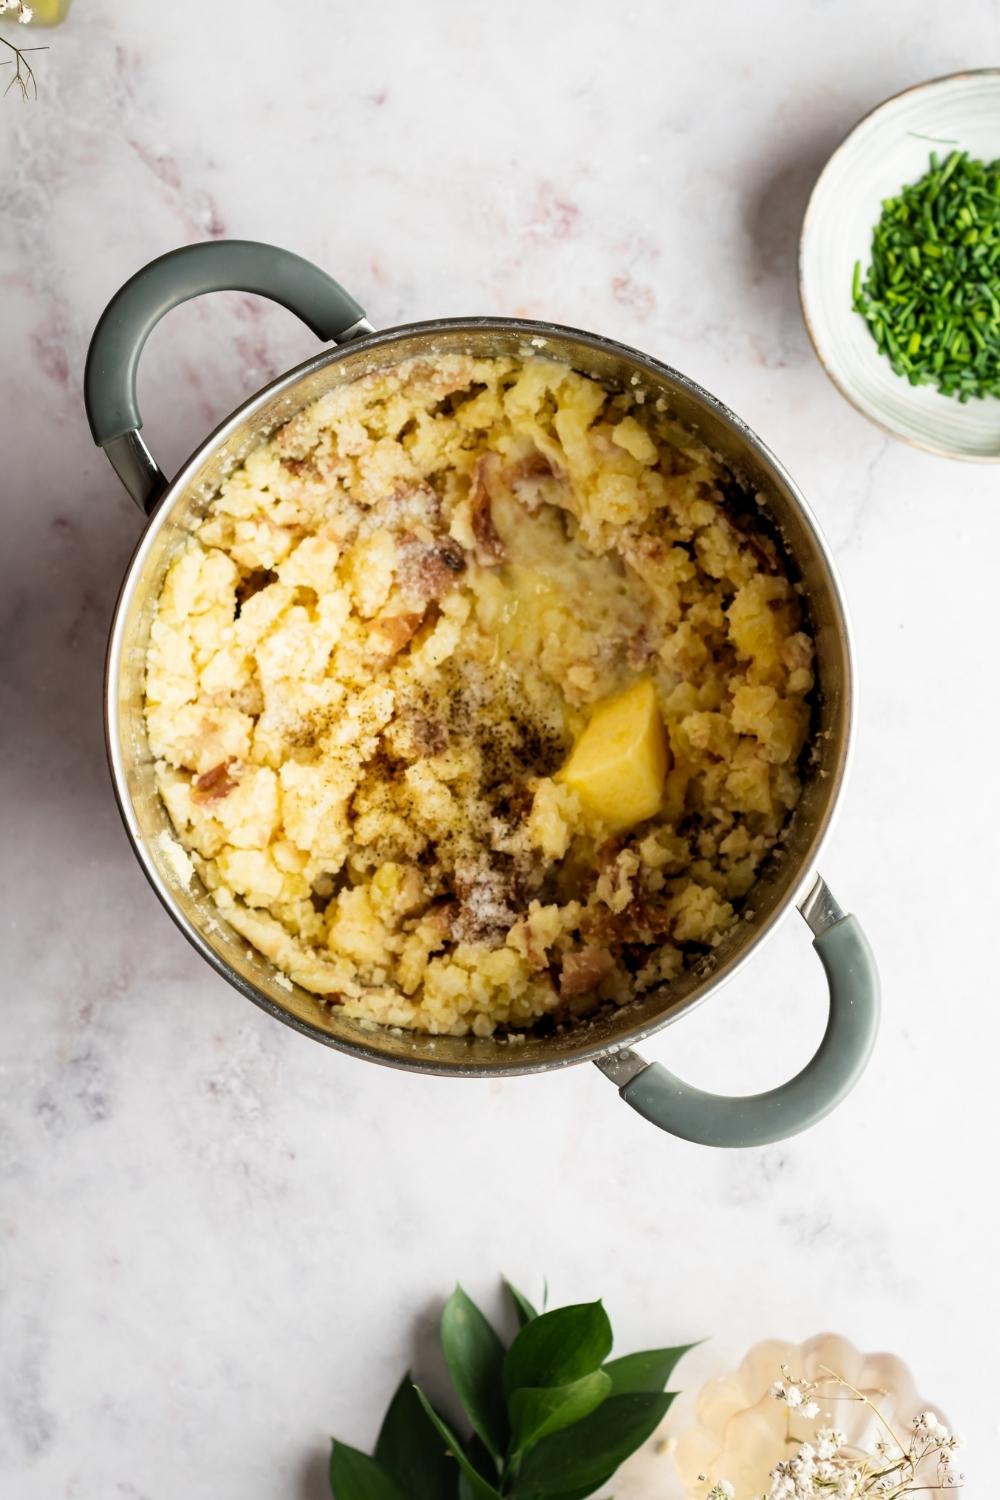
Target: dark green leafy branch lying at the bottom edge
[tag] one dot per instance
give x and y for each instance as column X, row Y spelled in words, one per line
column 551, row 1417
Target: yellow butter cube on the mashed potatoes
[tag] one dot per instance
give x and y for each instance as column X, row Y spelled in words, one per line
column 620, row 763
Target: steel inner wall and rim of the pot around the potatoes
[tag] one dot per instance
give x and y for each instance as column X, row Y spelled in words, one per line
column 759, row 482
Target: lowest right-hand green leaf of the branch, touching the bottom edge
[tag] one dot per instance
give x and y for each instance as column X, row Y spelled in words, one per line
column 581, row 1459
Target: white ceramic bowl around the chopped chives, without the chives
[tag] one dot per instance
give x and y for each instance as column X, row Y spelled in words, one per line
column 890, row 148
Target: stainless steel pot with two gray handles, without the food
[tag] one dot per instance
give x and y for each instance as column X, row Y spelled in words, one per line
column 173, row 506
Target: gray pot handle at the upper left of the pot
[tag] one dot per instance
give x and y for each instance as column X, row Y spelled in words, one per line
column 139, row 307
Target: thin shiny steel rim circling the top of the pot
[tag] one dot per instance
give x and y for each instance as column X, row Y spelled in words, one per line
column 385, row 338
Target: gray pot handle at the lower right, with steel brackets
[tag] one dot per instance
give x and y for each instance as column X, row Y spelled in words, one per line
column 711, row 1120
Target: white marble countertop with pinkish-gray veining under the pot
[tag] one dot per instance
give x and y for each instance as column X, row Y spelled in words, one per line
column 218, row 1241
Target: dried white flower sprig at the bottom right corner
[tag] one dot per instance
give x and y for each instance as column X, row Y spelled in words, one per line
column 828, row 1469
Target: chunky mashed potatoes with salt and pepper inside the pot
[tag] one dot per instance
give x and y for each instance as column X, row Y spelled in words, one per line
column 376, row 656
